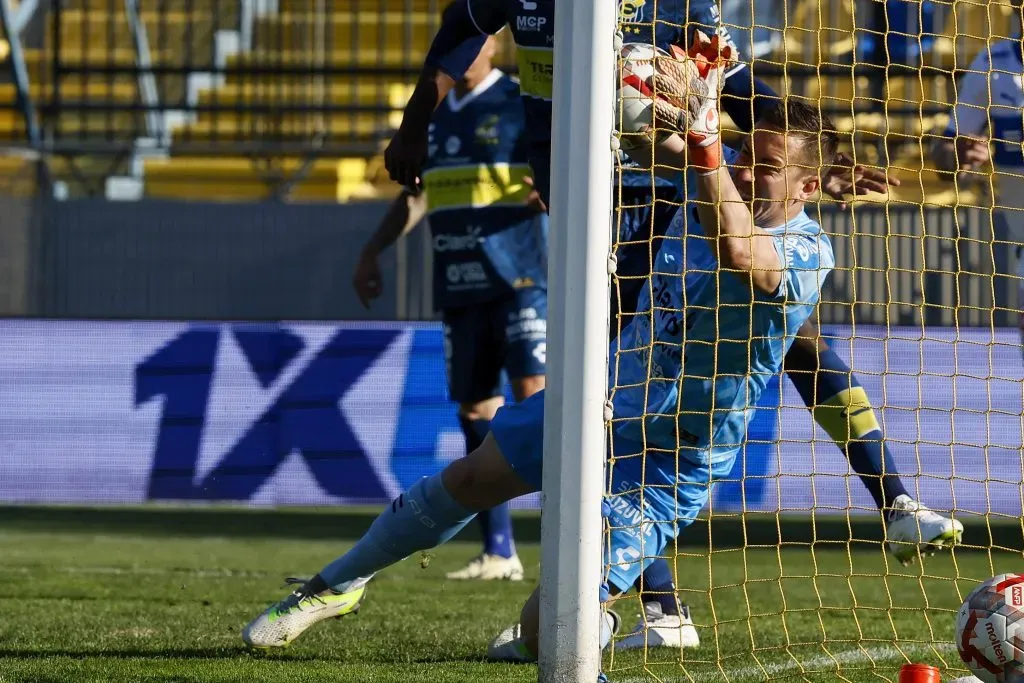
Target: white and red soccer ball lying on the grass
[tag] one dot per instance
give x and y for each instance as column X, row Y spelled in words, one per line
column 991, row 630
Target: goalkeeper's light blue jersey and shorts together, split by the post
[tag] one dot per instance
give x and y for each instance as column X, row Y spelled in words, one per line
column 685, row 379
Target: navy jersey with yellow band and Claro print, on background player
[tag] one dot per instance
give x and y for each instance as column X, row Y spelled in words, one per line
column 486, row 241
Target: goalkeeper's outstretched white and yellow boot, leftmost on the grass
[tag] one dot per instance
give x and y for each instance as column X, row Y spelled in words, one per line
column 283, row 623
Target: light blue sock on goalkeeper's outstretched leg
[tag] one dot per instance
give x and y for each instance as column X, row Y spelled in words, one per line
column 423, row 518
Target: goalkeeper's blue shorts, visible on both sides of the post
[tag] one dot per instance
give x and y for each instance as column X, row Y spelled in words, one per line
column 673, row 494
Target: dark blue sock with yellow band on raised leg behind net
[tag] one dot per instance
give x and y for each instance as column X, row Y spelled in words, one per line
column 842, row 408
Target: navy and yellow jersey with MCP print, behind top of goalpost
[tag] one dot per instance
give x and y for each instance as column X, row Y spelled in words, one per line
column 533, row 27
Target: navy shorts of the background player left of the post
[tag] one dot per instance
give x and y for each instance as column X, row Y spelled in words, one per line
column 509, row 333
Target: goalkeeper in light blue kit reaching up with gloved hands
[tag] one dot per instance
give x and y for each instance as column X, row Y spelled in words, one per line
column 750, row 275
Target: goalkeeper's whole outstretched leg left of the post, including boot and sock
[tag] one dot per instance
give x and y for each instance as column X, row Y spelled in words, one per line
column 507, row 465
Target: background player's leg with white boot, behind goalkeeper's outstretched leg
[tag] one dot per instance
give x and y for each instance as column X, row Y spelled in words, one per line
column 477, row 350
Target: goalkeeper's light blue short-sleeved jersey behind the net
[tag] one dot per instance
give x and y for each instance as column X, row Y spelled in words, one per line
column 688, row 376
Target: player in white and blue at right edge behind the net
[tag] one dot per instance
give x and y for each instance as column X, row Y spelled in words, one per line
column 987, row 127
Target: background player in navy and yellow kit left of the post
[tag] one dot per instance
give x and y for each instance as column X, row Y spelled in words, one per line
column 490, row 264
